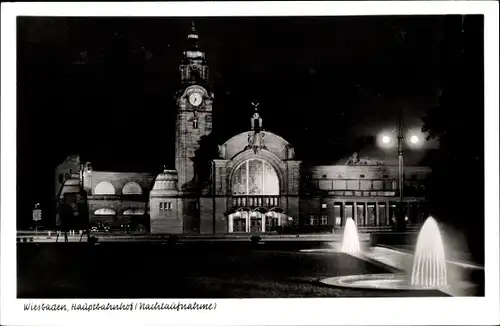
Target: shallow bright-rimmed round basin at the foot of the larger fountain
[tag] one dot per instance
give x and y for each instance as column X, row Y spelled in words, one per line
column 386, row 281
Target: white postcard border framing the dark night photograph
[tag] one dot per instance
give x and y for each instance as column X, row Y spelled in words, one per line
column 382, row 311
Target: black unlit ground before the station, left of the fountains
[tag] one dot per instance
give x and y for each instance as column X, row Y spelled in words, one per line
column 224, row 270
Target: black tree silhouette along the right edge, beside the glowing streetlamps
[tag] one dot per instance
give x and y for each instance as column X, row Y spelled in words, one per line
column 457, row 123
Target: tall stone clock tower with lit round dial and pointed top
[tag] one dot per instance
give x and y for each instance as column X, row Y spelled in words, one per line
column 194, row 112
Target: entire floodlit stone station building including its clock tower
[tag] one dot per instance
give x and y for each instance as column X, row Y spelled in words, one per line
column 256, row 184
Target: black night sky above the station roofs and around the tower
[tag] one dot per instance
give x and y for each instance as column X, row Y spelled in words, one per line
column 104, row 87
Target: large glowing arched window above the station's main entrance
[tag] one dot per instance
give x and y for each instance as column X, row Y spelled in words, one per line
column 255, row 177
